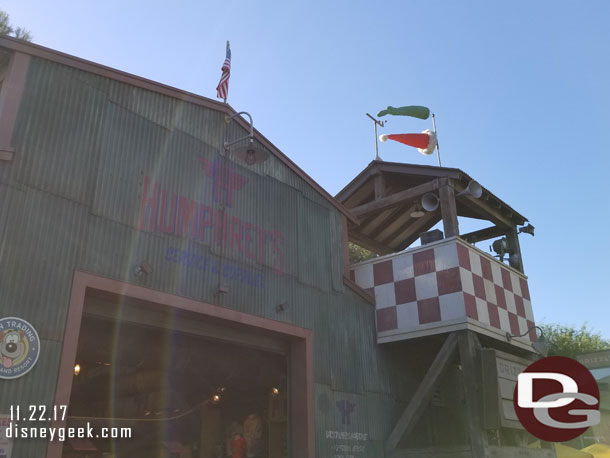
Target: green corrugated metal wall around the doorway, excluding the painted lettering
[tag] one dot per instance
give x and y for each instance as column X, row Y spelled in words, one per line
column 71, row 199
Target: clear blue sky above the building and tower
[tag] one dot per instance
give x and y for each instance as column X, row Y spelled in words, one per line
column 520, row 90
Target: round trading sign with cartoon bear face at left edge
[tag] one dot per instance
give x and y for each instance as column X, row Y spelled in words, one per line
column 19, row 347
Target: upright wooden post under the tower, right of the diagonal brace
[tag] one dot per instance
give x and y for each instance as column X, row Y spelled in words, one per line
column 468, row 343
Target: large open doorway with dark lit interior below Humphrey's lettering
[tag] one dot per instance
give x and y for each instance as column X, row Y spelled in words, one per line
column 183, row 387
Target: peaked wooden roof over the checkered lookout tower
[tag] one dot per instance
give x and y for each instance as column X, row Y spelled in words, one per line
column 384, row 194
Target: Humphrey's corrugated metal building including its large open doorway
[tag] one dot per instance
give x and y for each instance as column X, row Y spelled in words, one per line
column 193, row 288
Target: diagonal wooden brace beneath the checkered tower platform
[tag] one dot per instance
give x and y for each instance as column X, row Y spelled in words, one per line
column 421, row 398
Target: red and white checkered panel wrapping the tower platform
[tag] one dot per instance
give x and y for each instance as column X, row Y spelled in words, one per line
column 446, row 282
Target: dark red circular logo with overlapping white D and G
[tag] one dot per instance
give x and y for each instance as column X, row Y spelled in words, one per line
column 556, row 399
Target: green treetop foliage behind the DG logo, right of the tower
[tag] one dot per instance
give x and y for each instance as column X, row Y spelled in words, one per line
column 570, row 341
